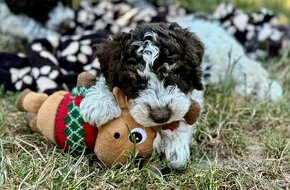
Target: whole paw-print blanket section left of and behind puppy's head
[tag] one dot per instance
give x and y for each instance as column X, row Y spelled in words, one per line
column 53, row 63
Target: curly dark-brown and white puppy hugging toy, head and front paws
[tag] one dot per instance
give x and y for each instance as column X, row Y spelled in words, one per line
column 158, row 67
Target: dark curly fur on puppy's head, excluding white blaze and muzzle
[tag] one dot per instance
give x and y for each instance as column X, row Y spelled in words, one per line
column 119, row 61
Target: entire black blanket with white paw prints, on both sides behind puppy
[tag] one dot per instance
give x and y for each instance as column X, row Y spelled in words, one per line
column 53, row 63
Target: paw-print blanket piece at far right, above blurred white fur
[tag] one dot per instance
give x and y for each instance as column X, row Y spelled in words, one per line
column 259, row 32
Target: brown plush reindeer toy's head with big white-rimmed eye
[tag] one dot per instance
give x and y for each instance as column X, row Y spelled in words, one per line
column 123, row 136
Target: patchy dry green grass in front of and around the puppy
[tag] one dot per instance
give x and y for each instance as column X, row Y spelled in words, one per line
column 239, row 144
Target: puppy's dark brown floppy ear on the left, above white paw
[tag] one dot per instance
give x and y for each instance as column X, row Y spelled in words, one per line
column 110, row 54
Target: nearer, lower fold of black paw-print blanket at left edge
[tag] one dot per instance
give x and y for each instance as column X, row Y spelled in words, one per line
column 50, row 64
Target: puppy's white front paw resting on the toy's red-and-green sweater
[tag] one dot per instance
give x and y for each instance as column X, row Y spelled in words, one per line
column 99, row 105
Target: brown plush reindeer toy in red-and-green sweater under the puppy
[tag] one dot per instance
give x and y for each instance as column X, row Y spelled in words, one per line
column 57, row 118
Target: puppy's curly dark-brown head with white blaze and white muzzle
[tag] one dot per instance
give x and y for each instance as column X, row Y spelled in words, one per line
column 157, row 65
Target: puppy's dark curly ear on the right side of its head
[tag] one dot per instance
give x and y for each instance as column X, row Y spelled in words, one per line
column 193, row 53
